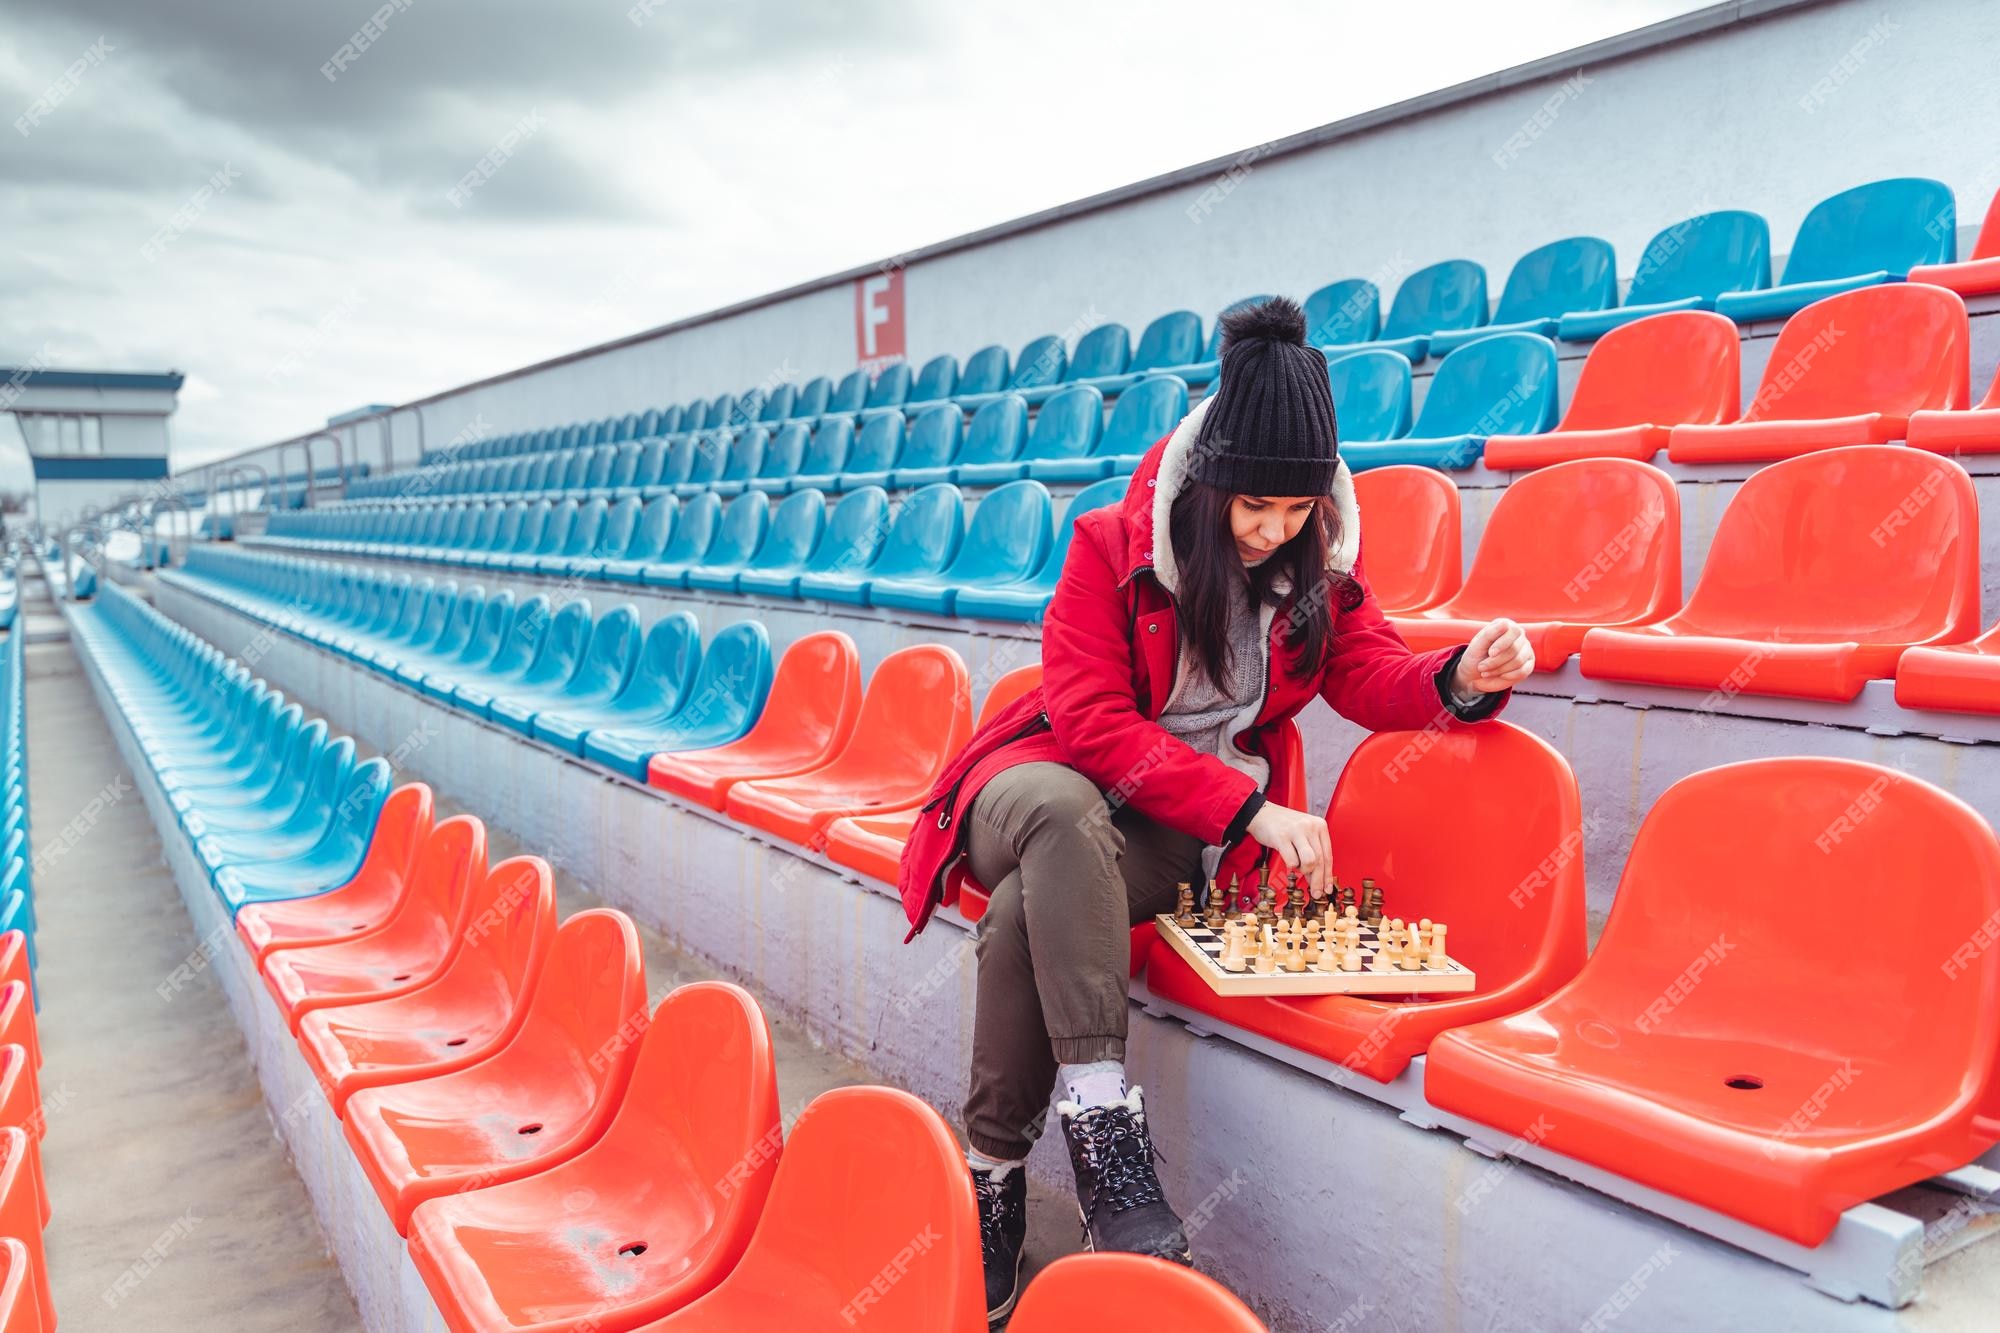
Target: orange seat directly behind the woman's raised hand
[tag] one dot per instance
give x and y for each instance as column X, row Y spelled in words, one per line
column 1569, row 547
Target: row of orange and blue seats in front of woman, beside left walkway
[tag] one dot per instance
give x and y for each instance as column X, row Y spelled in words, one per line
column 431, row 996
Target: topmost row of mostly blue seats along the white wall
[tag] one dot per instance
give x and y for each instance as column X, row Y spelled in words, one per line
column 1721, row 261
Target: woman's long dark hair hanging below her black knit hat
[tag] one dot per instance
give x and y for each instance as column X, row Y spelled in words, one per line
column 1209, row 563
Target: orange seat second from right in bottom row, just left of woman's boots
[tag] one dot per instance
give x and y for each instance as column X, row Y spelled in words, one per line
column 871, row 1188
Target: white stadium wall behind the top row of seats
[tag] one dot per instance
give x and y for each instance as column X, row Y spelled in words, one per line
column 1765, row 105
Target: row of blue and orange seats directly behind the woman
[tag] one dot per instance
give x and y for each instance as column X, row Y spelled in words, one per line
column 1879, row 549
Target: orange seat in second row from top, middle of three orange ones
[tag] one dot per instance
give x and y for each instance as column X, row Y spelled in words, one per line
column 1849, row 369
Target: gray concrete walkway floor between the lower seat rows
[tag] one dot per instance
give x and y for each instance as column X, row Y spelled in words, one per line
column 157, row 1128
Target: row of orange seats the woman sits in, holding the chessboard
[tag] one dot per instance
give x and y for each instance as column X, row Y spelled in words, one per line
column 1657, row 1086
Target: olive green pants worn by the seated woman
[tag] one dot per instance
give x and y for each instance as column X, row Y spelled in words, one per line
column 1069, row 880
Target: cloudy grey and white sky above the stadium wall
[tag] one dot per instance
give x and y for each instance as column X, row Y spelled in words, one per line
column 223, row 189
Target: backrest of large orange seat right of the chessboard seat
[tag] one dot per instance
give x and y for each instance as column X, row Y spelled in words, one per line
column 1723, row 856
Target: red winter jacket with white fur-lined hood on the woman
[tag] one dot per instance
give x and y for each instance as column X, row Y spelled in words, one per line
column 1109, row 659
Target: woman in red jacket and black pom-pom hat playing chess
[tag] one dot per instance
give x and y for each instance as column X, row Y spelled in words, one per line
column 1191, row 619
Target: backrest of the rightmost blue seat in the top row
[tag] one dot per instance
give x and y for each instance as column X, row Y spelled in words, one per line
column 1885, row 225
